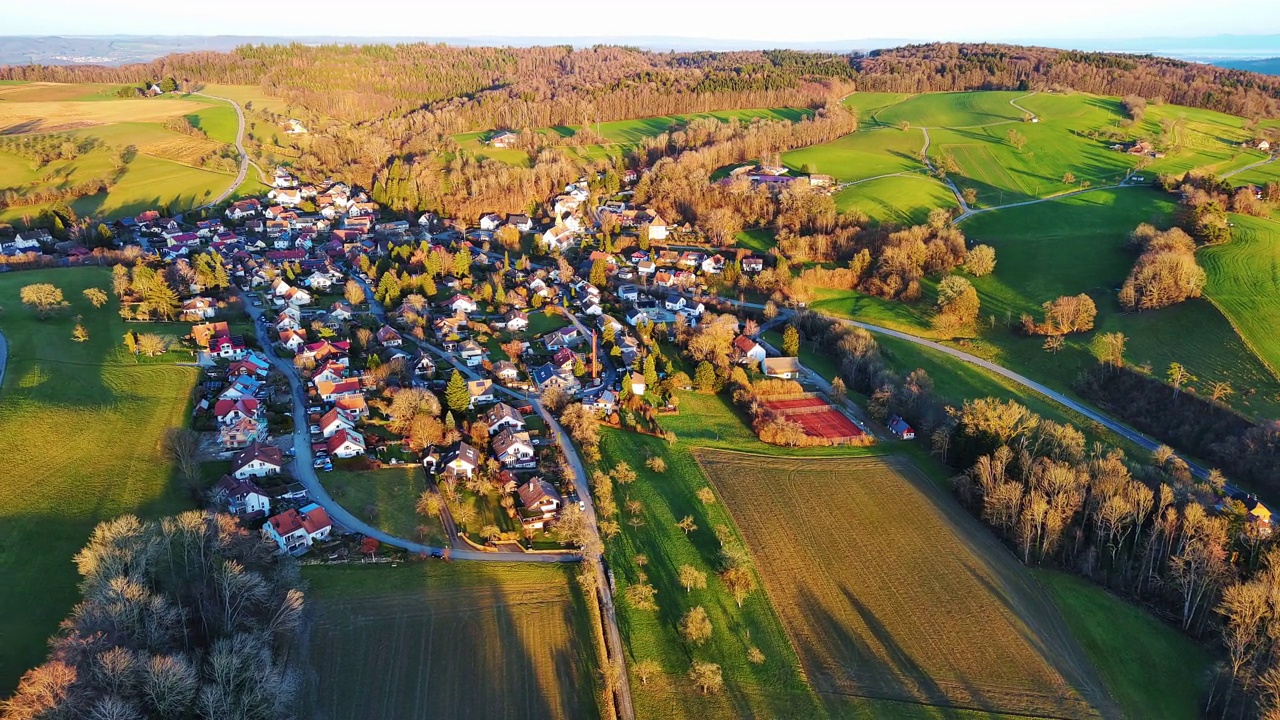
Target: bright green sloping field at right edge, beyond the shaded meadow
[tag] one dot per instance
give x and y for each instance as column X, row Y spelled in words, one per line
column 1245, row 284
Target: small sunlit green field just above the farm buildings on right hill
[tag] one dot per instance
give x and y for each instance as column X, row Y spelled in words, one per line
column 861, row 156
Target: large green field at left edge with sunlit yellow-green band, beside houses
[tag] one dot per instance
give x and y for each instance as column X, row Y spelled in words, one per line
column 83, row 429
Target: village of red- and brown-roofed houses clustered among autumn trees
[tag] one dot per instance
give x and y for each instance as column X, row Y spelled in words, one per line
column 337, row 340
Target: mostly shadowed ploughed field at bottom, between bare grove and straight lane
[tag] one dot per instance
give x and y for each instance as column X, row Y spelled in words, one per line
column 447, row 641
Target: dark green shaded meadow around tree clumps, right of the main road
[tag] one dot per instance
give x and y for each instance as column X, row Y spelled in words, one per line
column 1084, row 241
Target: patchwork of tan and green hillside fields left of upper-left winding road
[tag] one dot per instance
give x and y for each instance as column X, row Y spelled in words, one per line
column 166, row 171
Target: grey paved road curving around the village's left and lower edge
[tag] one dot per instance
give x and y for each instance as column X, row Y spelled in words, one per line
column 307, row 475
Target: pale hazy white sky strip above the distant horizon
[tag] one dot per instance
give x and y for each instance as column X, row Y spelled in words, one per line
column 784, row 21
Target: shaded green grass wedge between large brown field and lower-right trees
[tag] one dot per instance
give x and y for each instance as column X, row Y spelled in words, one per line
column 1149, row 668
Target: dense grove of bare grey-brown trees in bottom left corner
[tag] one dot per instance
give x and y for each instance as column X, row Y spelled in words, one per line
column 186, row 617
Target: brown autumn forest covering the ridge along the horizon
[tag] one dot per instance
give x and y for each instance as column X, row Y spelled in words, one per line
column 373, row 107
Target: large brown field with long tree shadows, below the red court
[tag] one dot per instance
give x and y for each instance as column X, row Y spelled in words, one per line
column 889, row 590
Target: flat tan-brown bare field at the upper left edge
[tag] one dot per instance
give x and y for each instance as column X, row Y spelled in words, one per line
column 19, row 117
